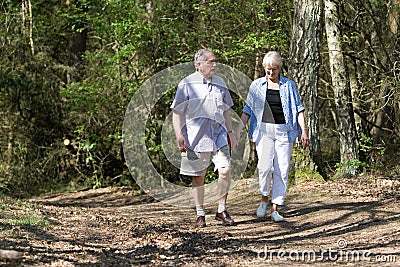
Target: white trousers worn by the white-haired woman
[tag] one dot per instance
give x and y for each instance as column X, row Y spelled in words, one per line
column 274, row 152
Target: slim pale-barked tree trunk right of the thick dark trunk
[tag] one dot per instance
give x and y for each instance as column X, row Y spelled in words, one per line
column 342, row 93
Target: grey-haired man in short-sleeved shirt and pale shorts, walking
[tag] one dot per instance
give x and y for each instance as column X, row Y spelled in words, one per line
column 202, row 124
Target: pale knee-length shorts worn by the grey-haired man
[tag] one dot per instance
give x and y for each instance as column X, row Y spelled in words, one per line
column 196, row 163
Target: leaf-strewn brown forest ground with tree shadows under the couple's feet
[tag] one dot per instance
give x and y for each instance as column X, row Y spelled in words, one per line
column 353, row 222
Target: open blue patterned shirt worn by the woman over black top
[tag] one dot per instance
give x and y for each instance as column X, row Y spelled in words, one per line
column 291, row 104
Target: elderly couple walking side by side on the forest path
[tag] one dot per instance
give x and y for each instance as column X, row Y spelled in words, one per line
column 204, row 133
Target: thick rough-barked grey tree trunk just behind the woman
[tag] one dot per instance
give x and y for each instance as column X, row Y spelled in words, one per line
column 305, row 52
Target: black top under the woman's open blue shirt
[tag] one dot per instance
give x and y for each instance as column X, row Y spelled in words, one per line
column 273, row 111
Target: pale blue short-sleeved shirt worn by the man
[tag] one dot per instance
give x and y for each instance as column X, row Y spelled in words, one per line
column 202, row 104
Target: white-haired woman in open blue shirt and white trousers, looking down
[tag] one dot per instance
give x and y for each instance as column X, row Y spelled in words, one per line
column 276, row 116
